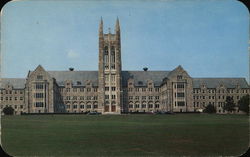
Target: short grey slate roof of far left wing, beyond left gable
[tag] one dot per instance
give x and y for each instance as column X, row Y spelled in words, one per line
column 17, row 83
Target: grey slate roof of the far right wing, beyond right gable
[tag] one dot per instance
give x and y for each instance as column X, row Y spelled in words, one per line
column 215, row 82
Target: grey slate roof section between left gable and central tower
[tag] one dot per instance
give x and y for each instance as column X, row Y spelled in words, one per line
column 75, row 76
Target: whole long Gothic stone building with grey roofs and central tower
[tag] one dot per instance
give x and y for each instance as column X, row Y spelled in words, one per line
column 111, row 90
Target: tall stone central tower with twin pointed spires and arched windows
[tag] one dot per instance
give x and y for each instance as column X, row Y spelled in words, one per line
column 109, row 72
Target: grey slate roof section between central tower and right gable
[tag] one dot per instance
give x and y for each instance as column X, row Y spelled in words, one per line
column 141, row 77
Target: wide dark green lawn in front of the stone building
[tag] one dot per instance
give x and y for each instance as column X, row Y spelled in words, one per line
column 125, row 135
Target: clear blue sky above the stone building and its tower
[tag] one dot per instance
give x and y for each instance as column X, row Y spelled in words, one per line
column 209, row 38
